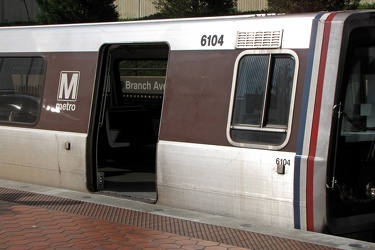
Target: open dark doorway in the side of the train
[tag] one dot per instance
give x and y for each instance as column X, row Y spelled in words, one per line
column 133, row 80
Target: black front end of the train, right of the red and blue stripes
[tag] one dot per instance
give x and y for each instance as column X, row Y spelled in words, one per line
column 351, row 174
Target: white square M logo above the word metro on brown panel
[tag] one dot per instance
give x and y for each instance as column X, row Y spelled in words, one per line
column 68, row 86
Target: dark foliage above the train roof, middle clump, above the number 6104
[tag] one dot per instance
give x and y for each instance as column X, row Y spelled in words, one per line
column 195, row 8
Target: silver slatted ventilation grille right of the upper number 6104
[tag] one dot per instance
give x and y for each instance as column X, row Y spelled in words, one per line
column 259, row 39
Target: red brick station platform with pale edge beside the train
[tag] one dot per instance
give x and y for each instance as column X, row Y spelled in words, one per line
column 37, row 217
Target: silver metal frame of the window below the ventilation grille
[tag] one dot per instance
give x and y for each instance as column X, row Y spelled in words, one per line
column 265, row 129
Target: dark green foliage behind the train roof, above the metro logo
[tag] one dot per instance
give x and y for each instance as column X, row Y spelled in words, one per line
column 76, row 11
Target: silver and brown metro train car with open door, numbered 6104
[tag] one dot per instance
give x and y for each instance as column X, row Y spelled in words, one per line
column 265, row 118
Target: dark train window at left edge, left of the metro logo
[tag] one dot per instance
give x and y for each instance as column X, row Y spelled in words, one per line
column 21, row 84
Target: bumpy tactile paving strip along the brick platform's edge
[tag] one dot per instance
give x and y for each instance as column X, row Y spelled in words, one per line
column 187, row 228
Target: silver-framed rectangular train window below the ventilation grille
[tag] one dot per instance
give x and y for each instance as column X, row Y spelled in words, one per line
column 262, row 99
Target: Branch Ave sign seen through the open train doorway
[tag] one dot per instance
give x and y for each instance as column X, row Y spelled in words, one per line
column 143, row 85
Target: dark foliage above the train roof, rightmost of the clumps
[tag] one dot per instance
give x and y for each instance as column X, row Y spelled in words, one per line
column 298, row 6
